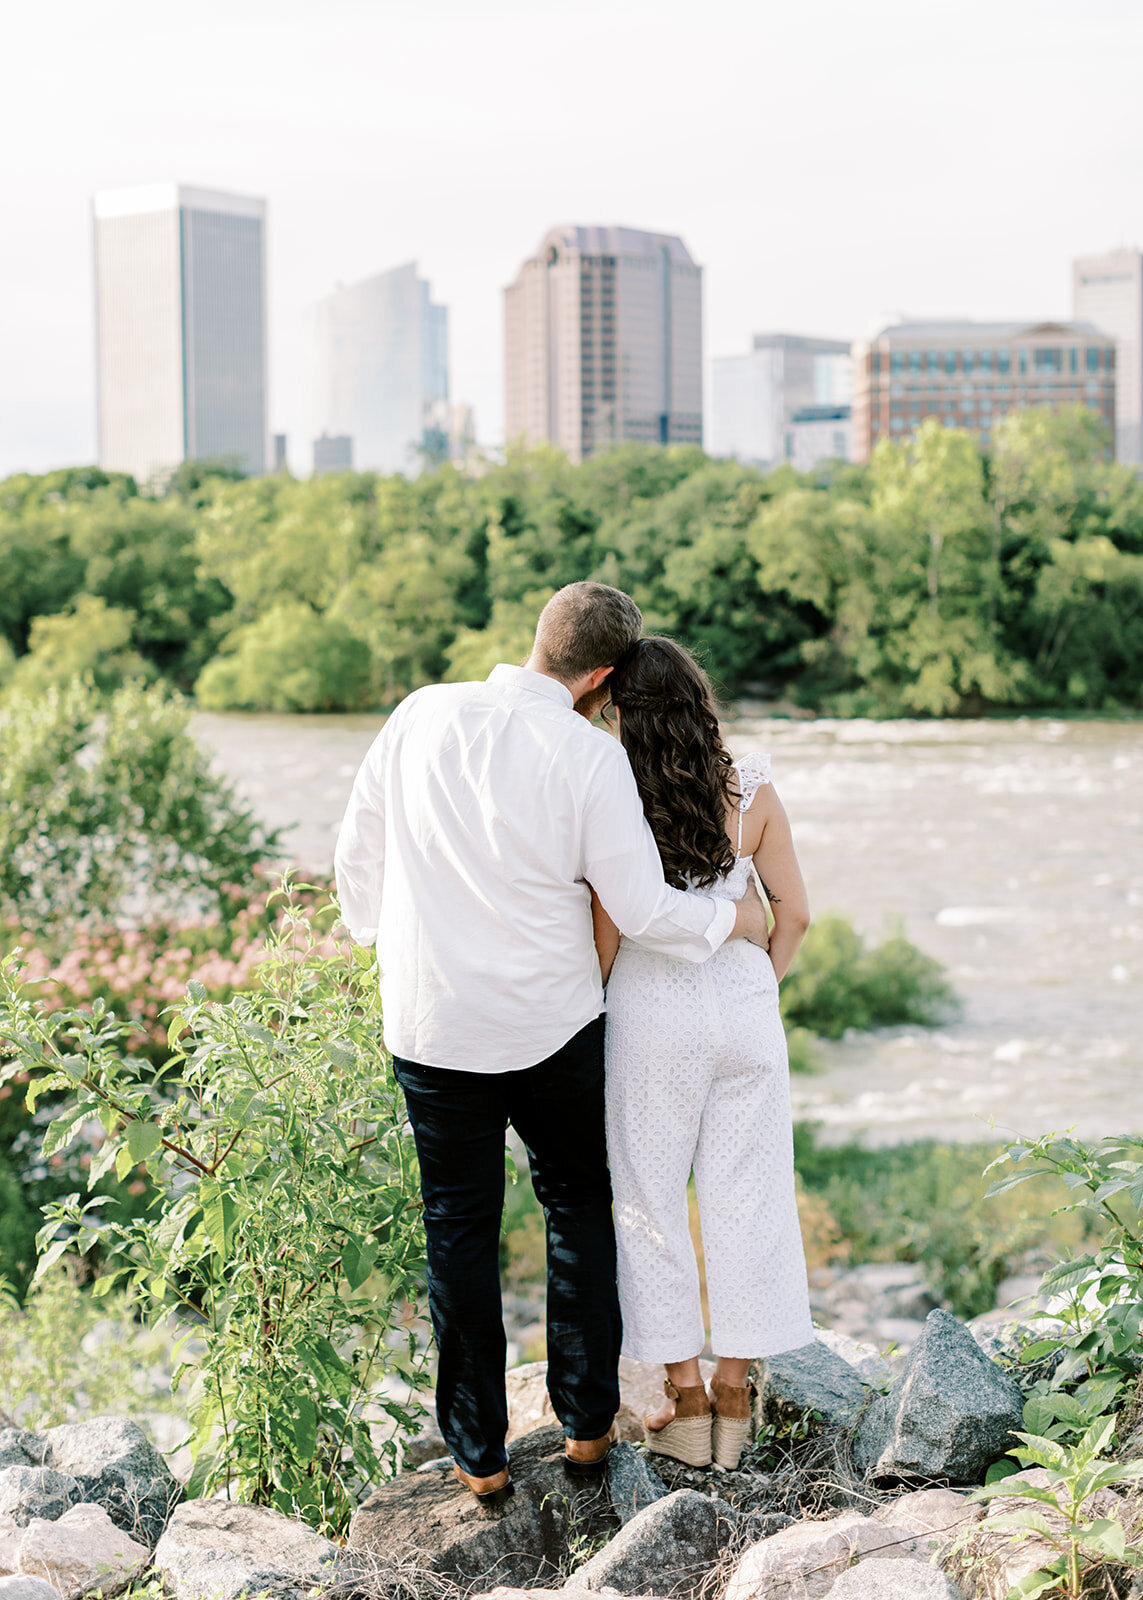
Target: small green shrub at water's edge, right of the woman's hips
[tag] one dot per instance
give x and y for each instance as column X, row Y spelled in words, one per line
column 836, row 983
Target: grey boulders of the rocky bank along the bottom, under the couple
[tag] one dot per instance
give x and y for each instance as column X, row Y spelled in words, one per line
column 872, row 1503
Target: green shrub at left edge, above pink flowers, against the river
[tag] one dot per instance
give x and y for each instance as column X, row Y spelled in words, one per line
column 110, row 807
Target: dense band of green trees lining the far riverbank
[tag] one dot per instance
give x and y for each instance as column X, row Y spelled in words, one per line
column 937, row 580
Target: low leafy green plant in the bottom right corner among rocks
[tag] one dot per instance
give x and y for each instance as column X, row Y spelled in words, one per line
column 1073, row 1473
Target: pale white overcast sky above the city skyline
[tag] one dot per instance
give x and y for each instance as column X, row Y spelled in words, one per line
column 825, row 161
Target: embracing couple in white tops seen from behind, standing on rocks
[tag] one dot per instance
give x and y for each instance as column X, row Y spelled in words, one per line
column 513, row 863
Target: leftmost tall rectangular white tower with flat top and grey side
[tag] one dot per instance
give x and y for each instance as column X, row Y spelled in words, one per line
column 180, row 329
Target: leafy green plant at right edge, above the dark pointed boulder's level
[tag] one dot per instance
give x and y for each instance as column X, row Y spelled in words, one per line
column 1099, row 1294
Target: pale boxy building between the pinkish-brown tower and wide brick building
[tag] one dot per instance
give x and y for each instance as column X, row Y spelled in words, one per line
column 756, row 396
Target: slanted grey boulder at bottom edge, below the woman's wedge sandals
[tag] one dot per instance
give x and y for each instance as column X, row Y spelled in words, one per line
column 664, row 1551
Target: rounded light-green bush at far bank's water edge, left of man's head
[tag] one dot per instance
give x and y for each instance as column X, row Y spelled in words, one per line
column 291, row 660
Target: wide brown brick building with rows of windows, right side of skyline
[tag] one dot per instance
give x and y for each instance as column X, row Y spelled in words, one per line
column 969, row 374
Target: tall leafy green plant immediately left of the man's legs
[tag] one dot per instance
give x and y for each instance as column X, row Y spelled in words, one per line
column 284, row 1238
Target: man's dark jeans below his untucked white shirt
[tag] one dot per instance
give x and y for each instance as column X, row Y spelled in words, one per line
column 459, row 1124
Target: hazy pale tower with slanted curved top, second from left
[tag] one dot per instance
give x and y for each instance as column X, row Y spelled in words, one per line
column 379, row 361
